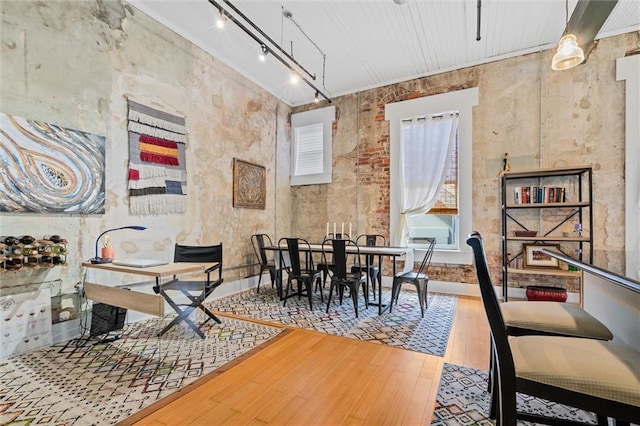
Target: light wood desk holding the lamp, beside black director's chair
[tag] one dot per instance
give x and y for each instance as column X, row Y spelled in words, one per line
column 123, row 297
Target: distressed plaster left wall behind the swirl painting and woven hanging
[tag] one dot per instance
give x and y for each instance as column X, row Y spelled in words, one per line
column 74, row 63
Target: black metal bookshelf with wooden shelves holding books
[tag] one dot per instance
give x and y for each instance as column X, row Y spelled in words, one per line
column 560, row 213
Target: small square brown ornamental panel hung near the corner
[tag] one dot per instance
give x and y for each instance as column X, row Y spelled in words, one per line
column 249, row 185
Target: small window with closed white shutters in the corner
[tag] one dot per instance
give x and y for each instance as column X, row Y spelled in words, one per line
column 311, row 146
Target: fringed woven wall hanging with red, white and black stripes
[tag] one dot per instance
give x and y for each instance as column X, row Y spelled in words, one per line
column 157, row 166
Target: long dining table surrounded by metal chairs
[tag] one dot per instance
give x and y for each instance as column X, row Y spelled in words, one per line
column 380, row 251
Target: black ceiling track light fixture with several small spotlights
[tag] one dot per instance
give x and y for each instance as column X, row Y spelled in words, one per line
column 259, row 36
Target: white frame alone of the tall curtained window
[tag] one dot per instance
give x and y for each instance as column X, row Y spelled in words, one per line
column 462, row 101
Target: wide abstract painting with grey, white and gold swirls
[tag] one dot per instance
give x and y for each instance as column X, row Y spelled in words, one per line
column 50, row 169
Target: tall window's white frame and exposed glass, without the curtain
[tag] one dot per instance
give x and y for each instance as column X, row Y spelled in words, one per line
column 445, row 220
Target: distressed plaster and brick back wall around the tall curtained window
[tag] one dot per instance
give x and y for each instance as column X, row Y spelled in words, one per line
column 543, row 118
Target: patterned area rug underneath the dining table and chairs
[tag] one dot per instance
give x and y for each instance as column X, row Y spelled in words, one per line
column 403, row 328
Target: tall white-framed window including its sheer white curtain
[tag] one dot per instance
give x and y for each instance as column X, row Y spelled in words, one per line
column 448, row 215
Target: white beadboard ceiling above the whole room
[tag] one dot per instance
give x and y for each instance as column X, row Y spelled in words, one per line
column 376, row 42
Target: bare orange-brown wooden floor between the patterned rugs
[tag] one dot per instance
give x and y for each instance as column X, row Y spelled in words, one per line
column 306, row 378
